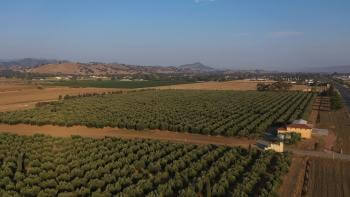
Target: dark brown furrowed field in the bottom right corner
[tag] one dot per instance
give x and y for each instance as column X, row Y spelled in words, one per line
column 328, row 178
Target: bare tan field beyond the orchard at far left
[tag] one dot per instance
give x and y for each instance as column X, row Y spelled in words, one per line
column 15, row 94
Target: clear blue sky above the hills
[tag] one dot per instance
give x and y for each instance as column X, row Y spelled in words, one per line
column 278, row 34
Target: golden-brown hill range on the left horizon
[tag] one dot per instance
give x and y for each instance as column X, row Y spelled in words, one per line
column 44, row 66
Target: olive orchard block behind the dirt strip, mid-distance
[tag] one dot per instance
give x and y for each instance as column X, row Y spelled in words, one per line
column 227, row 113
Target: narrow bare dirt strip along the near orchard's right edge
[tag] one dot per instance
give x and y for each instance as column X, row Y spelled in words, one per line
column 293, row 181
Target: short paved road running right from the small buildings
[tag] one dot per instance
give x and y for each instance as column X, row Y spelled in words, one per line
column 326, row 155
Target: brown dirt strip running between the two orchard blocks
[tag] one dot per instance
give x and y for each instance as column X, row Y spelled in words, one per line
column 23, row 129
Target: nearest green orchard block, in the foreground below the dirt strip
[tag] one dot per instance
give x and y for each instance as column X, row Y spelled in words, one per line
column 46, row 166
